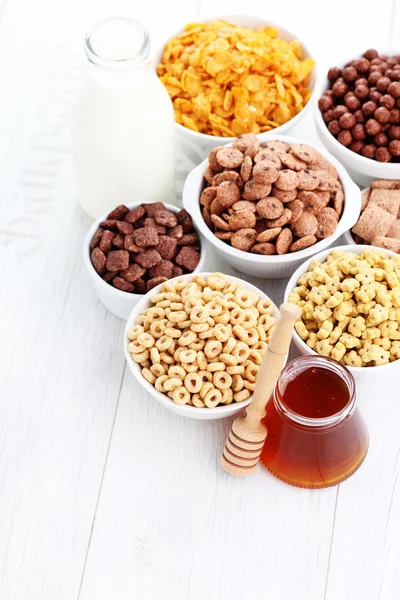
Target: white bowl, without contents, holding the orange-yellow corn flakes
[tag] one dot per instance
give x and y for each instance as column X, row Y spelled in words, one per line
column 209, row 141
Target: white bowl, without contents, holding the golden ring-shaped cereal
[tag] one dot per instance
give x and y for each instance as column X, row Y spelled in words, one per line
column 192, row 412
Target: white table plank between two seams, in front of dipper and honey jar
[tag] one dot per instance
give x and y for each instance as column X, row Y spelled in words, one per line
column 197, row 532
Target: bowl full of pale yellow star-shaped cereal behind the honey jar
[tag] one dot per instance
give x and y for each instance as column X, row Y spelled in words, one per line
column 350, row 300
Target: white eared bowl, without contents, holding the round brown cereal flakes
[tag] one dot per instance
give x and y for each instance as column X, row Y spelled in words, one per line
column 271, row 266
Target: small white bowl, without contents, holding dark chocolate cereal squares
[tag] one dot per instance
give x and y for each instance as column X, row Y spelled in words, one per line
column 116, row 301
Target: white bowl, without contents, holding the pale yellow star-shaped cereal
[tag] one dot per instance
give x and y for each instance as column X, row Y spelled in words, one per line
column 368, row 374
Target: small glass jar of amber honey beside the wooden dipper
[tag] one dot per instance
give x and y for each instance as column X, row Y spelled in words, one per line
column 316, row 435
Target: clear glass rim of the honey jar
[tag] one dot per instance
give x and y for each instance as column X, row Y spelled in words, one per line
column 297, row 366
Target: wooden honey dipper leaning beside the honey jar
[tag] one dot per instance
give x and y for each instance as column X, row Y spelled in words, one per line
column 247, row 435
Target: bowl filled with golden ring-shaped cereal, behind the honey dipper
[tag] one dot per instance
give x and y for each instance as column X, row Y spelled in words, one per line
column 195, row 343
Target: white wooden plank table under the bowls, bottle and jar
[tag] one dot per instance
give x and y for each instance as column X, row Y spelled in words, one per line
column 103, row 493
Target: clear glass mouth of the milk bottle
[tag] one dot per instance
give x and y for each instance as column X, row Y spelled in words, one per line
column 117, row 43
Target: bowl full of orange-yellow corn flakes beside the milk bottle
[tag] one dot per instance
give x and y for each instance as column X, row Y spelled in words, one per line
column 234, row 75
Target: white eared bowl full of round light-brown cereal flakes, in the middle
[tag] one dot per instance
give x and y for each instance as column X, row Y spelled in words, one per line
column 266, row 207
